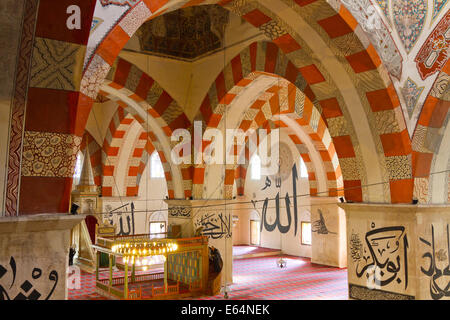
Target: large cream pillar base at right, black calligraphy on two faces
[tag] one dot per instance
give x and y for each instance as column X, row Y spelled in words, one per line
column 398, row 251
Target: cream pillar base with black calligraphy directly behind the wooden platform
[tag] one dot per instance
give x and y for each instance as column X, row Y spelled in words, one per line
column 215, row 221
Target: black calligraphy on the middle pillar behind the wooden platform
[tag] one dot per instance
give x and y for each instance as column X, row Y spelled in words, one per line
column 215, row 226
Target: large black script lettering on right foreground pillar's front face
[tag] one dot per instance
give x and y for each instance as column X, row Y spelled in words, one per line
column 384, row 260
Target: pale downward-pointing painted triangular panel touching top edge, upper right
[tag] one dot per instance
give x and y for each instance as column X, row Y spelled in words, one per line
column 409, row 19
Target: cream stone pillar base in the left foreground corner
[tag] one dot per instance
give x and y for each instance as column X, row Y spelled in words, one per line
column 34, row 255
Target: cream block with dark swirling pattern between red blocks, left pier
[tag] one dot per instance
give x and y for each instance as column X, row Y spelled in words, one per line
column 49, row 154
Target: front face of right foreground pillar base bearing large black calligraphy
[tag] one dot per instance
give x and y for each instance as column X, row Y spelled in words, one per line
column 381, row 260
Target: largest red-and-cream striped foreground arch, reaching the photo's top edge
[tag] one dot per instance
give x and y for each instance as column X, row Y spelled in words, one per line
column 358, row 64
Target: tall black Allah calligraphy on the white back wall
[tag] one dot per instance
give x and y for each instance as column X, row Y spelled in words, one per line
column 277, row 223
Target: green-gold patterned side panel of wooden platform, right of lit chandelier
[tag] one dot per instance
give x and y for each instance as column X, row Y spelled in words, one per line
column 184, row 267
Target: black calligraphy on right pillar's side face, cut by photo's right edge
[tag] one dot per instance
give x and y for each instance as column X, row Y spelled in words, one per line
column 438, row 272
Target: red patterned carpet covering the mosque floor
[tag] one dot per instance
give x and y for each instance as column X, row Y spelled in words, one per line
column 260, row 278
